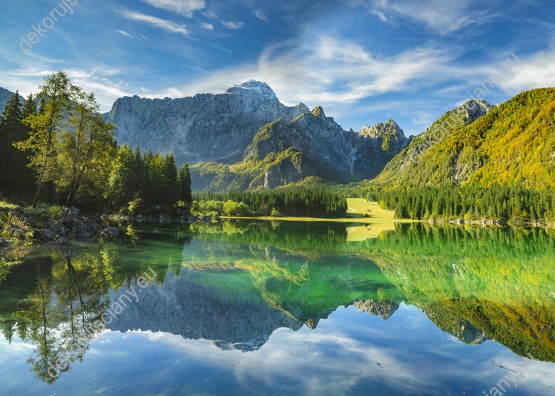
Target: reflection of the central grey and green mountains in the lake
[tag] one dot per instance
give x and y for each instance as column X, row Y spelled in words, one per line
column 237, row 295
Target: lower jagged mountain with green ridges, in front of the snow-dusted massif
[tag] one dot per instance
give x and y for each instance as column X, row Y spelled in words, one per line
column 311, row 144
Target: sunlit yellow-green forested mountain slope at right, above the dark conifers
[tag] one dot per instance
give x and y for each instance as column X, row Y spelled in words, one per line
column 512, row 146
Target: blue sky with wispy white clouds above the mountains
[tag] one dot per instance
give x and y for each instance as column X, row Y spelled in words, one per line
column 363, row 61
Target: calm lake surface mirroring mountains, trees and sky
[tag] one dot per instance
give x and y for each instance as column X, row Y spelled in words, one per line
column 291, row 308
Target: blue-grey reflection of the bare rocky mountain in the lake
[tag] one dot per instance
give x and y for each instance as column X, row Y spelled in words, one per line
column 184, row 307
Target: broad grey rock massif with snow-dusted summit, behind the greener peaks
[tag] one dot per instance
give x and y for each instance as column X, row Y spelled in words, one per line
column 202, row 128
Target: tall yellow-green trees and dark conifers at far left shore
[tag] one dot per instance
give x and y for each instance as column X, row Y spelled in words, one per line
column 66, row 144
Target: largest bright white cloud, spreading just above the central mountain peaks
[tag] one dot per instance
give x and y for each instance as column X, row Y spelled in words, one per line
column 332, row 72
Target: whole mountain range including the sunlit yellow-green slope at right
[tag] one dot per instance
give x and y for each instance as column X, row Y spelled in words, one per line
column 245, row 138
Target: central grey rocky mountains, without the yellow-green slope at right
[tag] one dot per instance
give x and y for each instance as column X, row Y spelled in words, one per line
column 246, row 138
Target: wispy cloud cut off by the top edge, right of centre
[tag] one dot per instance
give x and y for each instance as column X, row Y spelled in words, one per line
column 441, row 16
